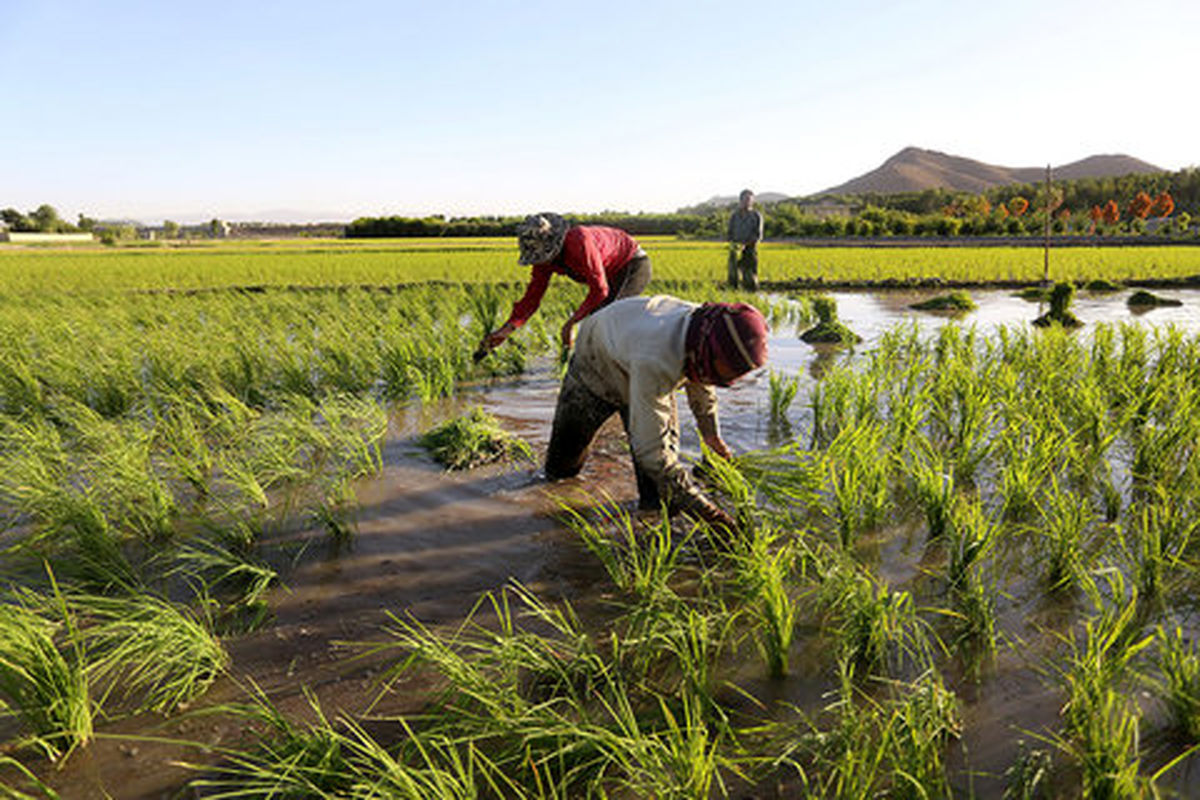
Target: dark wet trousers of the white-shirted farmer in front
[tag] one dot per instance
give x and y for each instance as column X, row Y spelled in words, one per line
column 578, row 417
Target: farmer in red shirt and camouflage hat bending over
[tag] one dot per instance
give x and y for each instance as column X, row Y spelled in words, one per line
column 609, row 261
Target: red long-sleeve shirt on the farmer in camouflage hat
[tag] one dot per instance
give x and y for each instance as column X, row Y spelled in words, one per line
column 591, row 255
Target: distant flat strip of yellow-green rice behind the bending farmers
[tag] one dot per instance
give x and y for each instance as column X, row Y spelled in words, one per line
column 407, row 263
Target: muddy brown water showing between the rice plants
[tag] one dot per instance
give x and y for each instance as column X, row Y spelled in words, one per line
column 430, row 544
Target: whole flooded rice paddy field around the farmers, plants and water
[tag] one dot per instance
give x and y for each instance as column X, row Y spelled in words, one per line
column 232, row 568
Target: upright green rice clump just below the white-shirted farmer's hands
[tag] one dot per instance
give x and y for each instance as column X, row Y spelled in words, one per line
column 764, row 567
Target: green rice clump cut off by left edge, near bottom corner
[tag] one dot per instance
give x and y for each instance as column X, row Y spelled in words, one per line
column 44, row 678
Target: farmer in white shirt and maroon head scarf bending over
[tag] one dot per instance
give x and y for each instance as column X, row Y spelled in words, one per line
column 629, row 360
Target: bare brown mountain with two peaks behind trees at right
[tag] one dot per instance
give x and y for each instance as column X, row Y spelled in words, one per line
column 914, row 170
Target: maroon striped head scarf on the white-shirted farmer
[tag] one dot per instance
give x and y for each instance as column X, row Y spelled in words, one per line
column 731, row 333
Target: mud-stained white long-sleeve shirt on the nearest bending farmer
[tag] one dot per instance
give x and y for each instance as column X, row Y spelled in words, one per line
column 632, row 353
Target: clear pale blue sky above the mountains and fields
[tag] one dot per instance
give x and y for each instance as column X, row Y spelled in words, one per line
column 164, row 110
